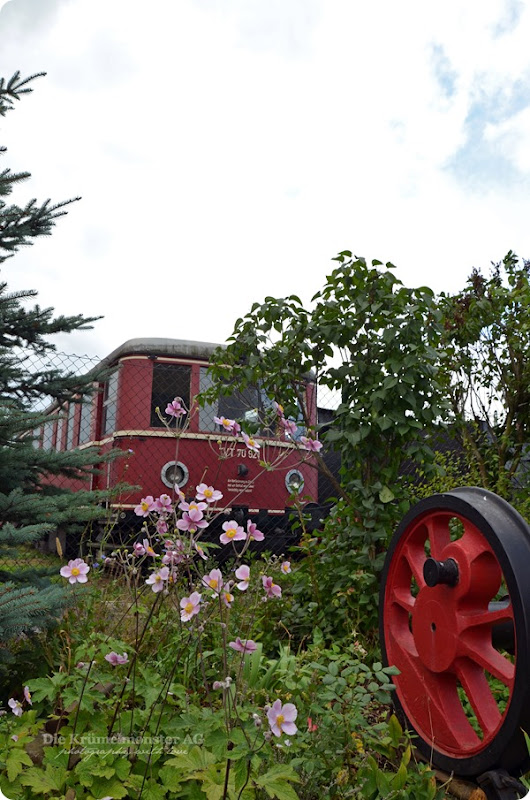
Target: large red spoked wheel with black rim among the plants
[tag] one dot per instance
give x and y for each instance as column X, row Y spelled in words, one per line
column 454, row 619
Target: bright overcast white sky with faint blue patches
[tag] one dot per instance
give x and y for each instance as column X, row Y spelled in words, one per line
column 226, row 150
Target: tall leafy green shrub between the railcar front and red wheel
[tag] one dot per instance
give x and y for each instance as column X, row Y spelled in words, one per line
column 377, row 345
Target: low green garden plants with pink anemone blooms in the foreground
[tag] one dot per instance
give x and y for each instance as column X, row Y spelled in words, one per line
column 159, row 690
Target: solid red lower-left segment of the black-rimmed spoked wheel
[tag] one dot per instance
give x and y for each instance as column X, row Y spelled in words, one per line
column 435, row 707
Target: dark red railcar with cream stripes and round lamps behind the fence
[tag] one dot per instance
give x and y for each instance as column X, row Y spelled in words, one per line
column 146, row 375
